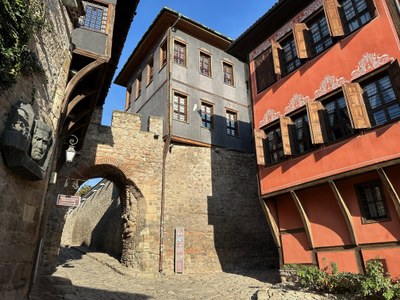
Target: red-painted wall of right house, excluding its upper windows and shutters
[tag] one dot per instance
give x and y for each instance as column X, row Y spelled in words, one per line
column 319, row 201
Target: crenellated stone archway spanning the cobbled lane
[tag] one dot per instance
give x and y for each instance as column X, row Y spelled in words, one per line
column 131, row 159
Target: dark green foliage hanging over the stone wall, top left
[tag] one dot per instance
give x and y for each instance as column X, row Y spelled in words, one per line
column 19, row 19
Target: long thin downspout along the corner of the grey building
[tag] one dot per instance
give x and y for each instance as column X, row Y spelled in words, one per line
column 167, row 144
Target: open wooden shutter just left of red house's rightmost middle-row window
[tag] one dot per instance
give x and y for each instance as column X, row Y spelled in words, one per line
column 356, row 105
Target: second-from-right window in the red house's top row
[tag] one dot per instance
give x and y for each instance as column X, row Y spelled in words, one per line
column 319, row 32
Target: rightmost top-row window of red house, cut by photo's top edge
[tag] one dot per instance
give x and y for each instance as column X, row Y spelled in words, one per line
column 356, row 13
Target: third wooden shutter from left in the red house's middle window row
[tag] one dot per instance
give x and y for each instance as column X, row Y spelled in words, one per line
column 316, row 122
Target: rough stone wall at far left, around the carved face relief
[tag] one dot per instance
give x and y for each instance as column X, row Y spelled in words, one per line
column 21, row 201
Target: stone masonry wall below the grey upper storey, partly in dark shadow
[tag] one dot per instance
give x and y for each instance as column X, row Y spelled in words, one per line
column 212, row 194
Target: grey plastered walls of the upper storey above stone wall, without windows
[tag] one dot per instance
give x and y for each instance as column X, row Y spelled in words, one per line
column 197, row 87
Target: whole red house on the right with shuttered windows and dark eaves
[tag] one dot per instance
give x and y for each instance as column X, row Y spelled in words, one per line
column 325, row 83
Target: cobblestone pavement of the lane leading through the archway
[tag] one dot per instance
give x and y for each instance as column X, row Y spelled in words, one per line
column 97, row 276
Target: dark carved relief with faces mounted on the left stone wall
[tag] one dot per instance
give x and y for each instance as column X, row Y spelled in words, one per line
column 26, row 143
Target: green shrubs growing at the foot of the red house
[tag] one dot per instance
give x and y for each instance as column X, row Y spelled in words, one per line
column 373, row 283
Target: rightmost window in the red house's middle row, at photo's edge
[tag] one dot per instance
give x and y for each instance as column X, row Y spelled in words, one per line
column 380, row 100
